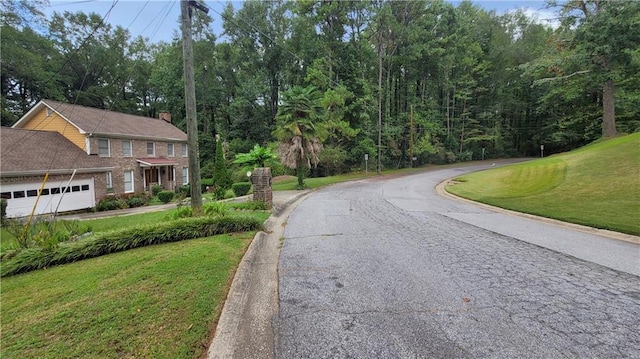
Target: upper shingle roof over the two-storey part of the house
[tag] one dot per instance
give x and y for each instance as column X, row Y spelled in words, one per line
column 103, row 122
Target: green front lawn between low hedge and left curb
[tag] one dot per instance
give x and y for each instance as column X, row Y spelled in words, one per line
column 160, row 301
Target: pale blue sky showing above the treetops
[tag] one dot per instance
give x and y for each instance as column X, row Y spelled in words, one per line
column 158, row 20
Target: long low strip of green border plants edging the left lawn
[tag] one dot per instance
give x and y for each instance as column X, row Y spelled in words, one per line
column 124, row 239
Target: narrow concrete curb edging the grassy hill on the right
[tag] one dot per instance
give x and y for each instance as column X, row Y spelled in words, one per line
column 440, row 189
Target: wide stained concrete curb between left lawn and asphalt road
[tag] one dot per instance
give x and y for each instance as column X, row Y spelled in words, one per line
column 245, row 327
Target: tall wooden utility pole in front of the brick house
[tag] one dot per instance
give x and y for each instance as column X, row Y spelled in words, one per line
column 190, row 104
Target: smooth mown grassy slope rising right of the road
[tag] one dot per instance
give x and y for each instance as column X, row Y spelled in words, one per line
column 597, row 185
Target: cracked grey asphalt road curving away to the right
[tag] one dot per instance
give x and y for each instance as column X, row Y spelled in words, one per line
column 389, row 269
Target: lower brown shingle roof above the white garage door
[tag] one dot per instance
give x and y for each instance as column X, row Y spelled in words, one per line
column 24, row 152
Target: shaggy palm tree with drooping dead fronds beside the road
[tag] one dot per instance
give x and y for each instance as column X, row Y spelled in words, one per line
column 300, row 129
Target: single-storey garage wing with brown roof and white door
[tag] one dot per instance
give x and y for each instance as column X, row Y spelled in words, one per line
column 27, row 156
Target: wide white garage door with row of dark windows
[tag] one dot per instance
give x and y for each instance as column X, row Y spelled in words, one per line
column 21, row 197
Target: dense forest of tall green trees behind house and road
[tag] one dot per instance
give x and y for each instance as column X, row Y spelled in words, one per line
column 424, row 79
